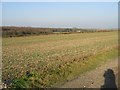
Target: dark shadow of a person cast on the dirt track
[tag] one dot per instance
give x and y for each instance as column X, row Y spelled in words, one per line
column 109, row 81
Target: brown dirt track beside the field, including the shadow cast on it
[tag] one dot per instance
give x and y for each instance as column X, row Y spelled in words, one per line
column 97, row 77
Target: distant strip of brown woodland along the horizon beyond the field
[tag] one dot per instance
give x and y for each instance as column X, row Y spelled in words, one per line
column 13, row 31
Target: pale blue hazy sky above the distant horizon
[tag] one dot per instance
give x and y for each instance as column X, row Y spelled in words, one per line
column 61, row 14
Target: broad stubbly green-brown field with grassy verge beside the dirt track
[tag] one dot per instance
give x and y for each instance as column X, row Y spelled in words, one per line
column 48, row 60
